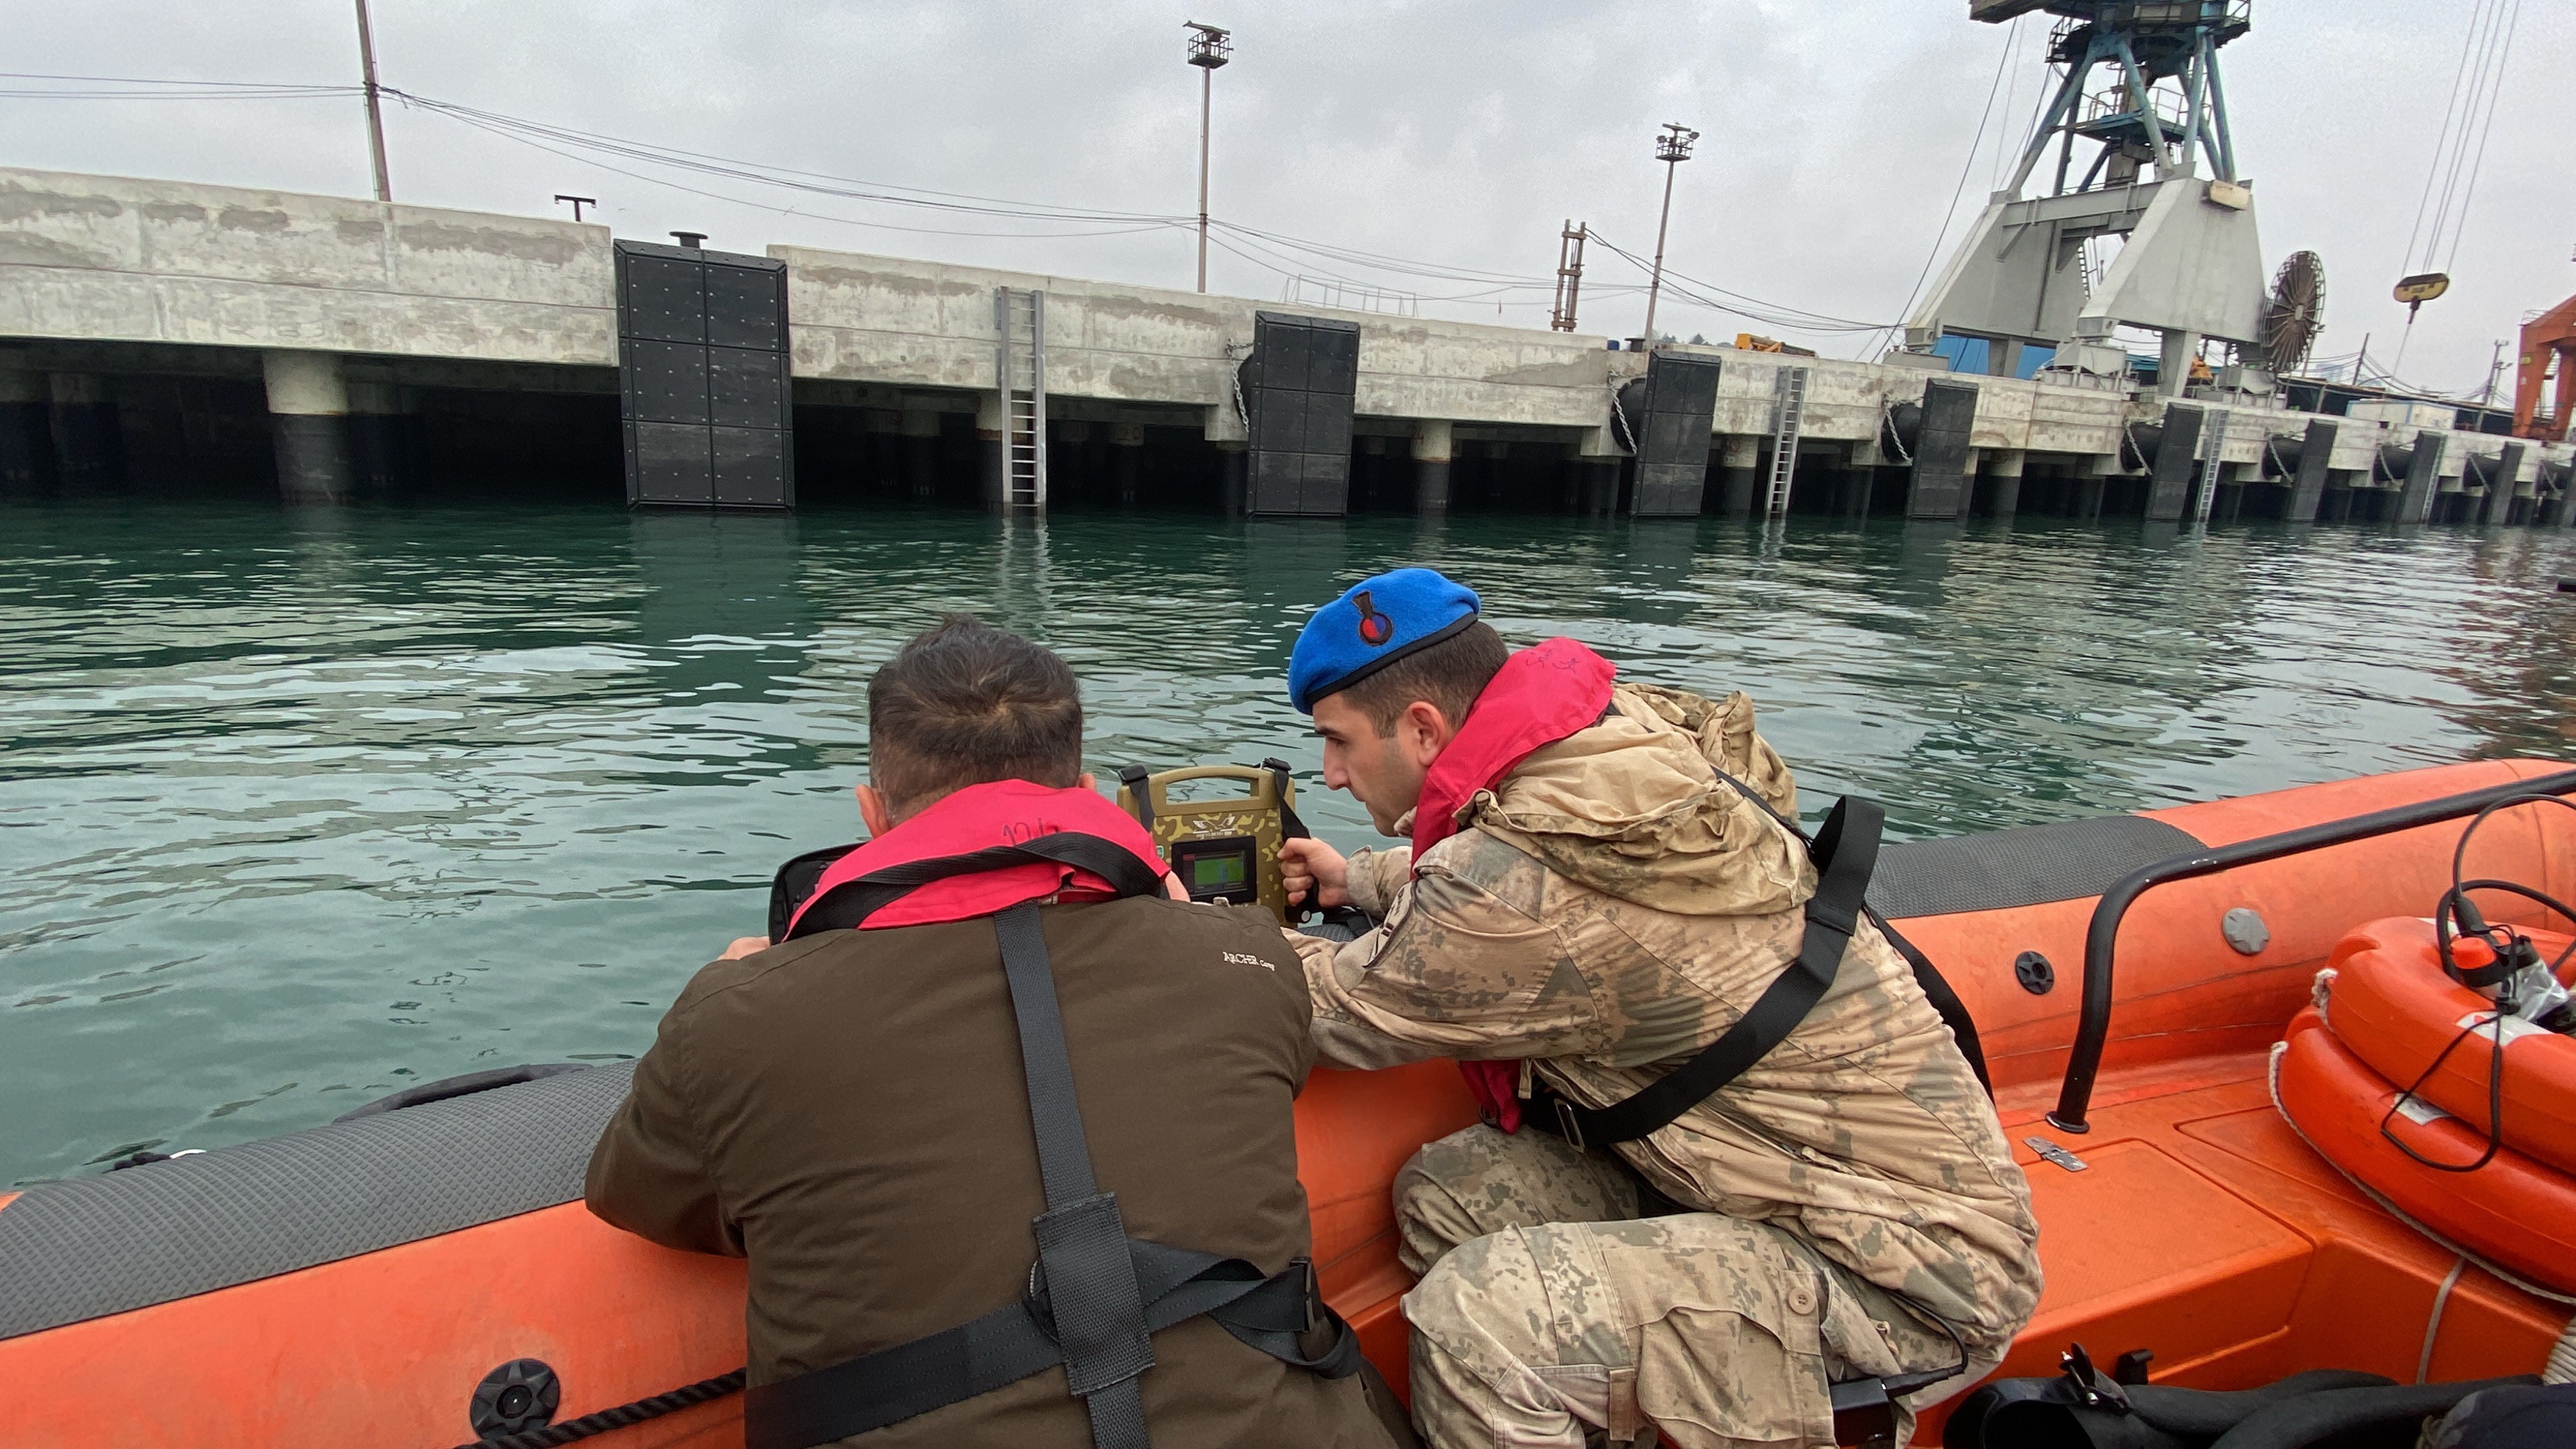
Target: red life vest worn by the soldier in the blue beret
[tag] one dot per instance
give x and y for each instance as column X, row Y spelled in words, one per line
column 1537, row 697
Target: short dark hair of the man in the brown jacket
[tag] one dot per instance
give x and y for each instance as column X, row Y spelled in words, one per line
column 967, row 705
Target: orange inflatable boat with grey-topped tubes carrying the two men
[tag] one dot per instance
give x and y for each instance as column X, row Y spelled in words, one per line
column 370, row 1283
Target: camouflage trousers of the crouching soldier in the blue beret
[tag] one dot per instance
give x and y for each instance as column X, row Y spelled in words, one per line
column 1552, row 1316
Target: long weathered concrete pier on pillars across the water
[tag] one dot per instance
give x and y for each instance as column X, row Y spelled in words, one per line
column 138, row 326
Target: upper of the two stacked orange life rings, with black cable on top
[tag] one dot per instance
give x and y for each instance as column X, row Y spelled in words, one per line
column 2397, row 1012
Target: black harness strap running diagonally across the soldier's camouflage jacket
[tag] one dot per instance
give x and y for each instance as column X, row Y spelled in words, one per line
column 1846, row 852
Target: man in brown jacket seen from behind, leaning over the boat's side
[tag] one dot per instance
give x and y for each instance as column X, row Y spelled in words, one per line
column 993, row 1043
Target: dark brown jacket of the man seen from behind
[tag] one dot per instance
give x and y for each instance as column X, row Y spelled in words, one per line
column 849, row 1113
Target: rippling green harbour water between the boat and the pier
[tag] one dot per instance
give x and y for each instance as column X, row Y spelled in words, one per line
column 305, row 808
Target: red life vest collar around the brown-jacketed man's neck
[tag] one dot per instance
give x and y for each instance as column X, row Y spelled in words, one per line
column 980, row 816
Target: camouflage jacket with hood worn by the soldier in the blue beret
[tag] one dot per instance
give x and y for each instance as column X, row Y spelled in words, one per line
column 1614, row 906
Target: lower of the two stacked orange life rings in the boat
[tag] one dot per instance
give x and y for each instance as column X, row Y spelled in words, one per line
column 2513, row 1211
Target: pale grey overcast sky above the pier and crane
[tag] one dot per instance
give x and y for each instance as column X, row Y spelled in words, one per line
column 1444, row 133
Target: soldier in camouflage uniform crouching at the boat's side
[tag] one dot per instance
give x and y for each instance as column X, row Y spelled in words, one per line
column 1606, row 909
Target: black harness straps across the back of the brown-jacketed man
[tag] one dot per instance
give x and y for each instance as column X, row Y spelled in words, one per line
column 1096, row 1296
